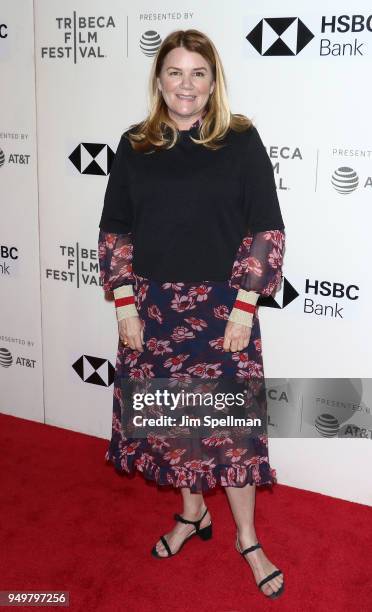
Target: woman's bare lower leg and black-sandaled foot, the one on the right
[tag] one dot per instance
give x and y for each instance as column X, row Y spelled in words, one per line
column 242, row 503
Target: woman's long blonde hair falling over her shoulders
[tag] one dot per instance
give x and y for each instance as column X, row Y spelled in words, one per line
column 150, row 133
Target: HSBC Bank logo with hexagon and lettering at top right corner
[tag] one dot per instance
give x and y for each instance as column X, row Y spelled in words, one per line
column 345, row 35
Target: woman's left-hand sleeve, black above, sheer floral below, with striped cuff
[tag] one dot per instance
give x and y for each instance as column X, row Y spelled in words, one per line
column 115, row 246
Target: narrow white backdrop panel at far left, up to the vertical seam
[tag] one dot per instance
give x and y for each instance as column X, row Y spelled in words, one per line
column 21, row 381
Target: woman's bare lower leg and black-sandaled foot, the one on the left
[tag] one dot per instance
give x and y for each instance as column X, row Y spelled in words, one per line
column 193, row 508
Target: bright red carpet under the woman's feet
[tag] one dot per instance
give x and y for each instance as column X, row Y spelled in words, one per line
column 69, row 522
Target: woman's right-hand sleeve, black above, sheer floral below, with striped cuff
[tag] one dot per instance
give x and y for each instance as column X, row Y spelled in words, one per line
column 257, row 269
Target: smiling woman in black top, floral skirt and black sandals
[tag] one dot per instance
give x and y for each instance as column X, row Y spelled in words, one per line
column 191, row 234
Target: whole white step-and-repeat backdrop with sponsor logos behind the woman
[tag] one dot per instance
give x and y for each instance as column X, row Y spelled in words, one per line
column 75, row 76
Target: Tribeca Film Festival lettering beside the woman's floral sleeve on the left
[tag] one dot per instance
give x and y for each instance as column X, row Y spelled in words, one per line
column 81, row 266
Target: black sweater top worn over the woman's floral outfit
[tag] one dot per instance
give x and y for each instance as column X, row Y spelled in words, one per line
column 188, row 208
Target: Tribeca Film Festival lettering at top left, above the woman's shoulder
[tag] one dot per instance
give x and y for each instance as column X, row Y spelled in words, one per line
column 79, row 38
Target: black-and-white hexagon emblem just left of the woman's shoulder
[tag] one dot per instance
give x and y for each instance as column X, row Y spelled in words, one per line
column 92, row 158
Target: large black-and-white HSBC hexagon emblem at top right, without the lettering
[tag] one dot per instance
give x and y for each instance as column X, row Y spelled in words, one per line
column 280, row 36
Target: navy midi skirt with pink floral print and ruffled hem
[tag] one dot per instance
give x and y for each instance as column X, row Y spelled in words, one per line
column 184, row 326
